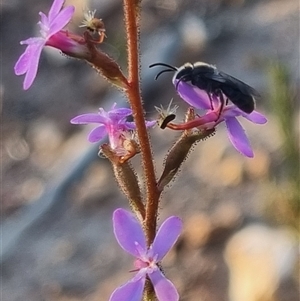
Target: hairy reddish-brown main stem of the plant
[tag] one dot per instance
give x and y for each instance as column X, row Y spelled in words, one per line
column 131, row 11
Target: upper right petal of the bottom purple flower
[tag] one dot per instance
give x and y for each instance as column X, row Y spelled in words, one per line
column 166, row 236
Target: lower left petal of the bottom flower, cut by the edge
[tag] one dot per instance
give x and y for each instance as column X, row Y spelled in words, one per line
column 130, row 291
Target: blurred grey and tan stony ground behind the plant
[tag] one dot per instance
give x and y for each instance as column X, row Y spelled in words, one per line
column 241, row 216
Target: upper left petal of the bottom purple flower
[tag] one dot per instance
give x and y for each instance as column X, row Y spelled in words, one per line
column 129, row 232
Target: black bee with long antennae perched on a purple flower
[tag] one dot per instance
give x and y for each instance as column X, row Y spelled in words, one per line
column 214, row 82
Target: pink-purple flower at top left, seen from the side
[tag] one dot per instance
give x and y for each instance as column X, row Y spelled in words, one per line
column 49, row 26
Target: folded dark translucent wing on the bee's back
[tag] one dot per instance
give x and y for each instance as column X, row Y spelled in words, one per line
column 235, row 83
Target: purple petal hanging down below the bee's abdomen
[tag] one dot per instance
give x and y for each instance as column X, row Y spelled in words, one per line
column 238, row 137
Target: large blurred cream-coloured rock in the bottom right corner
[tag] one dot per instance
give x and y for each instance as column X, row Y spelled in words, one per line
column 259, row 258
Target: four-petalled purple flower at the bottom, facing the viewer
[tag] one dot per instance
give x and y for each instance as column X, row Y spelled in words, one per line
column 131, row 238
